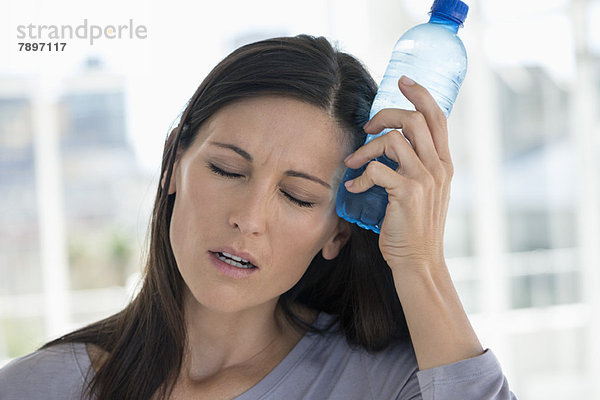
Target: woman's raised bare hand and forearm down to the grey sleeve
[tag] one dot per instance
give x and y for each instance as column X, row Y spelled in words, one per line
column 411, row 236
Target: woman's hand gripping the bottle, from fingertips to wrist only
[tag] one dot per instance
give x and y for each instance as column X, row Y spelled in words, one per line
column 419, row 190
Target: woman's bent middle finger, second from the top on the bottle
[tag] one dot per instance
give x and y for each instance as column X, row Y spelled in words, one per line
column 413, row 126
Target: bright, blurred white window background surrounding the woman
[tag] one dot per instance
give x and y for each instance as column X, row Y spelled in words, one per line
column 82, row 131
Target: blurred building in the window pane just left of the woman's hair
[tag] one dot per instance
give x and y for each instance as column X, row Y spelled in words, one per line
column 103, row 184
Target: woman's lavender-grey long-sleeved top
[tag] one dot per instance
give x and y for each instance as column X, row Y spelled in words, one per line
column 318, row 367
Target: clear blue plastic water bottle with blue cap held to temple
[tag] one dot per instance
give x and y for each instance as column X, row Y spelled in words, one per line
column 432, row 55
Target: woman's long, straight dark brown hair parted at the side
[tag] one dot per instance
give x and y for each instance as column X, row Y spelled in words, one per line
column 145, row 341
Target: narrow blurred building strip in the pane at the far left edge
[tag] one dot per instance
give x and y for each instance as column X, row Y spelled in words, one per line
column 18, row 219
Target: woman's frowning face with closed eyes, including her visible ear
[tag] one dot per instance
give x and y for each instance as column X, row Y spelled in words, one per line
column 276, row 208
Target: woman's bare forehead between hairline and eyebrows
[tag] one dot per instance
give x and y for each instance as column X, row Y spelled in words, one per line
column 278, row 125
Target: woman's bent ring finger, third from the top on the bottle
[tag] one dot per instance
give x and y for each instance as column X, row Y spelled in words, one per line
column 395, row 147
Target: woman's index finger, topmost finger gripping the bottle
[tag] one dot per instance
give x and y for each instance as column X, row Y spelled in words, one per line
column 436, row 120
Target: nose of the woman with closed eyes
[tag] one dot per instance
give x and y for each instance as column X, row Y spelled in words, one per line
column 249, row 211
